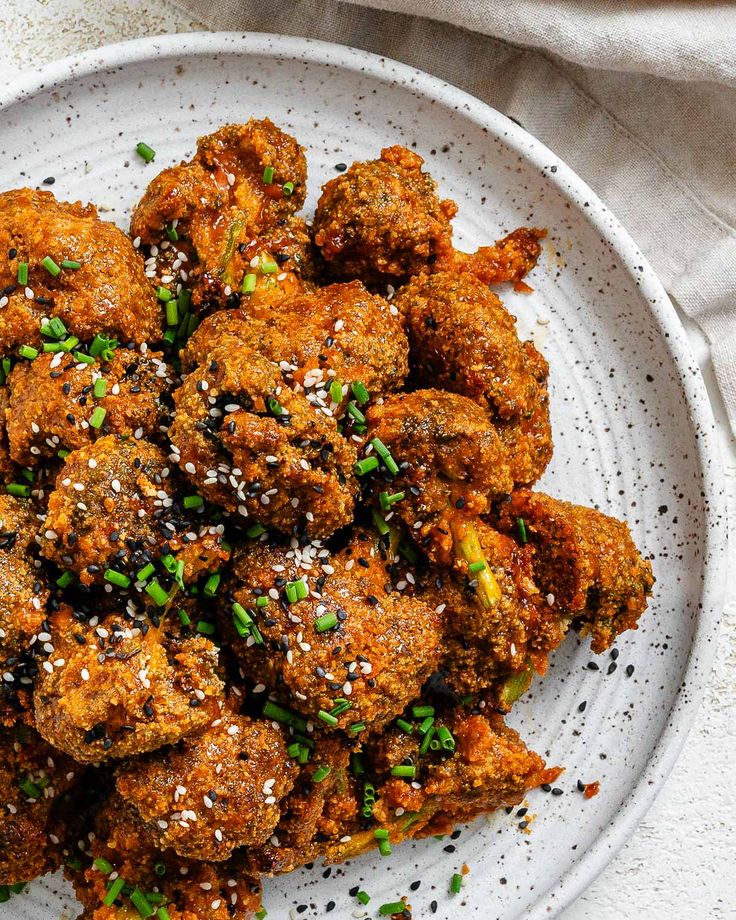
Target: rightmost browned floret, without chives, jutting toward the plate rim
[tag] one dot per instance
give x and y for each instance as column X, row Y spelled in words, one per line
column 584, row 560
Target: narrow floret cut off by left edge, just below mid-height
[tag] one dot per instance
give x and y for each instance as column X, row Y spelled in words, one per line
column 24, row 591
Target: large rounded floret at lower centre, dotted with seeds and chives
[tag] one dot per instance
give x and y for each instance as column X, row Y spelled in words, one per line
column 324, row 638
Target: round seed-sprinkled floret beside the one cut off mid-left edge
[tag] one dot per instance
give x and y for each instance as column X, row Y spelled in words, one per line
column 114, row 486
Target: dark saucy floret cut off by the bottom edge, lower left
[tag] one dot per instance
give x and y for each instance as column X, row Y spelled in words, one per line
column 189, row 889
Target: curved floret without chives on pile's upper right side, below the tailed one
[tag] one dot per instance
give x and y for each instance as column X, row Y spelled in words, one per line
column 463, row 339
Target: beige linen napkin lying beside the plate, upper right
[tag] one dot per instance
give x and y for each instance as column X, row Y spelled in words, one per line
column 639, row 98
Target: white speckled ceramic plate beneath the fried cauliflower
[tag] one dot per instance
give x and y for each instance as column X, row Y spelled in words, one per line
column 633, row 428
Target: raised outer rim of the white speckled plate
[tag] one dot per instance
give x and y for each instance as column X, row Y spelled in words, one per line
column 686, row 702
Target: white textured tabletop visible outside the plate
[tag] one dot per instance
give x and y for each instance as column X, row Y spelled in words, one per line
column 681, row 862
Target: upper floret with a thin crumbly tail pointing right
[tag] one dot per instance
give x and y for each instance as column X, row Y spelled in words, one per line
column 382, row 222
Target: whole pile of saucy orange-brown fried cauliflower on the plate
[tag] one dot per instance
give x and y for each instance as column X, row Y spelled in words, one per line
column 272, row 566
